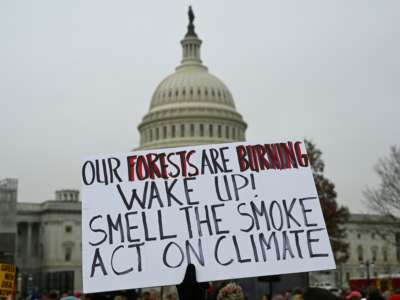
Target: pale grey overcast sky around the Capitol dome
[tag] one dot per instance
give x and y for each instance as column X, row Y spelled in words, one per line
column 76, row 77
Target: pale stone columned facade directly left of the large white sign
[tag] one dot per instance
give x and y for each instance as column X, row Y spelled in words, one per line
column 49, row 243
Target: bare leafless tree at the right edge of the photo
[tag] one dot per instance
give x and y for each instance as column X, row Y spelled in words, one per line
column 385, row 199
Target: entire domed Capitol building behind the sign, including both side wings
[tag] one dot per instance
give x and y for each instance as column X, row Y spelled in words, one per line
column 190, row 106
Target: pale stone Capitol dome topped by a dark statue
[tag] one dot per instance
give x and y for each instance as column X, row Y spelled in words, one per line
column 191, row 106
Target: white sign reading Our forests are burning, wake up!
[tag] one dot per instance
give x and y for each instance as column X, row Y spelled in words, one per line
column 233, row 210
